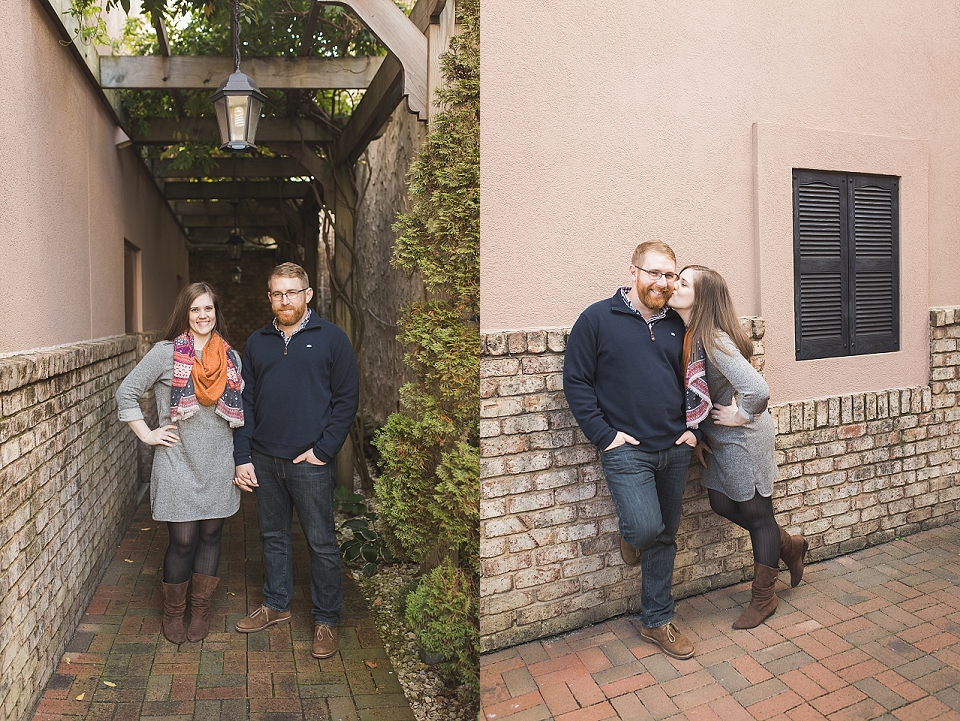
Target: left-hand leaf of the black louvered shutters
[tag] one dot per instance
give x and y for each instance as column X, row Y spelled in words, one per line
column 819, row 261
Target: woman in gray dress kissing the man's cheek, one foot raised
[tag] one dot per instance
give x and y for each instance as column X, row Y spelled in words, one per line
column 727, row 398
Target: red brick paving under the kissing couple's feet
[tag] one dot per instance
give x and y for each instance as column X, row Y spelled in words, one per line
column 875, row 634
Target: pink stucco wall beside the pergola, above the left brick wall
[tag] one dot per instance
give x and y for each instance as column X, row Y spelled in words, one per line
column 68, row 200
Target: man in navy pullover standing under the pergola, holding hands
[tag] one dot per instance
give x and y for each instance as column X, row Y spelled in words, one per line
column 300, row 395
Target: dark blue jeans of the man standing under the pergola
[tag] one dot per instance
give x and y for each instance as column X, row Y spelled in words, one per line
column 283, row 486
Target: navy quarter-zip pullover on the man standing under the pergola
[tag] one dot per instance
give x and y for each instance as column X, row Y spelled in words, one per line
column 297, row 395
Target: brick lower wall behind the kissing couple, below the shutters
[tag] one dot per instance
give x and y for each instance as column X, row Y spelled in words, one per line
column 854, row 471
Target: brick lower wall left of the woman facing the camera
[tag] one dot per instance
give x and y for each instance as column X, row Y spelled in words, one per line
column 67, row 489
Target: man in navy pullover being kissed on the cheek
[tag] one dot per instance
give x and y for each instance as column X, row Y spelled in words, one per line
column 623, row 379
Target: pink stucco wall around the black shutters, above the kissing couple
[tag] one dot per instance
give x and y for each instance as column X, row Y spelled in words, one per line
column 607, row 124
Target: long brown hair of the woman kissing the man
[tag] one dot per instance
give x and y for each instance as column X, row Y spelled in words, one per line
column 713, row 312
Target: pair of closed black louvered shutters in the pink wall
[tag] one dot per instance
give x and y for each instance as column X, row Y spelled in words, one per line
column 846, row 229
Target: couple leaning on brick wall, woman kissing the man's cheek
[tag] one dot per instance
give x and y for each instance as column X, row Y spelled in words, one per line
column 650, row 384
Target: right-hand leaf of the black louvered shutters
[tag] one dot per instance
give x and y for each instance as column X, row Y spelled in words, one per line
column 876, row 292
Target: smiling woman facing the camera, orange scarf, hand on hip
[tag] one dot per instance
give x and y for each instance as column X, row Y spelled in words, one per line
column 195, row 377
